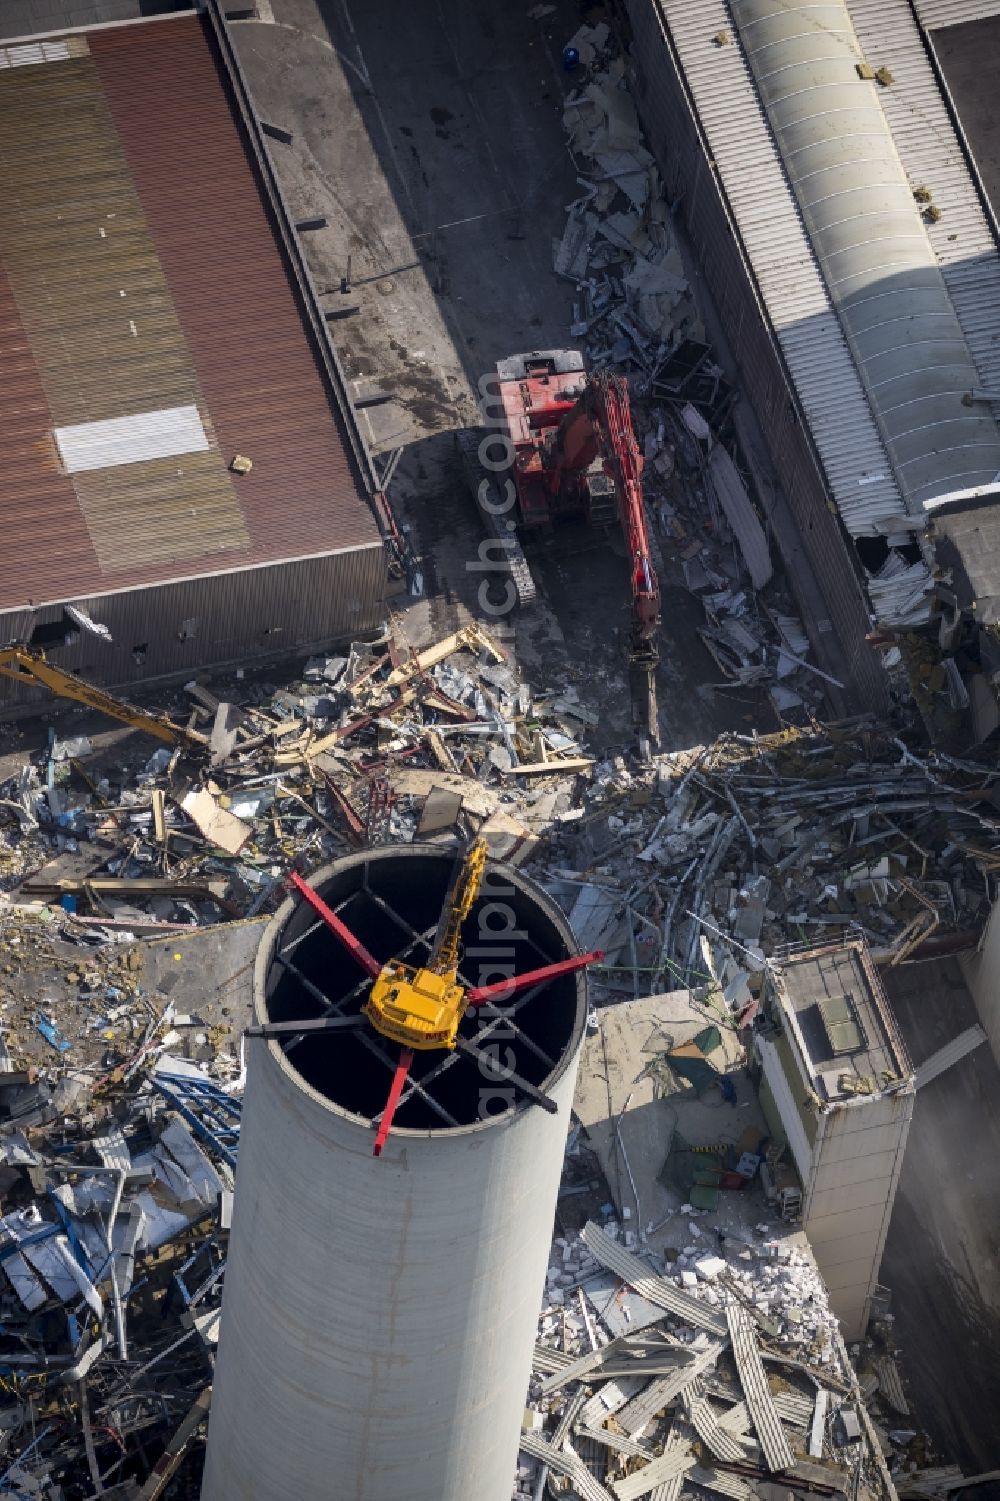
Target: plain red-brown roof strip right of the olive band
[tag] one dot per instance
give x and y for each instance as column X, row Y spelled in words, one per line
column 241, row 319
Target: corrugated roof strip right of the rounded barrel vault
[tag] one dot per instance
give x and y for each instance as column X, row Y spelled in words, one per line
column 932, row 157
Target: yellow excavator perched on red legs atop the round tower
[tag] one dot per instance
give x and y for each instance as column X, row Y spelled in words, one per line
column 423, row 1008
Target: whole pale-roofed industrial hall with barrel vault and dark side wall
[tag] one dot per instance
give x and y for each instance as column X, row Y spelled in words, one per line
column 851, row 251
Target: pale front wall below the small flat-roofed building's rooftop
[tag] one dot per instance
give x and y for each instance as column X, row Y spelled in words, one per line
column 848, row 1206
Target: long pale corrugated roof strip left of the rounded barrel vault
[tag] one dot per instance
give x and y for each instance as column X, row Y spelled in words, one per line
column 794, row 290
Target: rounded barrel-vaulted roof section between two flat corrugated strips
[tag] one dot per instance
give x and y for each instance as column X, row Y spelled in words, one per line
column 870, row 238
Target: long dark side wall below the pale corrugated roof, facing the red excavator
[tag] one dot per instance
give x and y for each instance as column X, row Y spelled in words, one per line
column 693, row 187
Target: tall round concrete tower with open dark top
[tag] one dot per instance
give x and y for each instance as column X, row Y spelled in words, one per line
column 379, row 1314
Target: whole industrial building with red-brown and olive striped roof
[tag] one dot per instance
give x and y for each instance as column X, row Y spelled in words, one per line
column 157, row 323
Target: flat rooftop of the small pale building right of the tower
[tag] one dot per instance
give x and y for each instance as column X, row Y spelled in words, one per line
column 834, row 1003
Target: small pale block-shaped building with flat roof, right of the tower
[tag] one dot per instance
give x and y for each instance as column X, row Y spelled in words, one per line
column 839, row 1087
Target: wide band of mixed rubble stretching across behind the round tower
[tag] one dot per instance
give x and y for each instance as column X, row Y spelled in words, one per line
column 755, row 841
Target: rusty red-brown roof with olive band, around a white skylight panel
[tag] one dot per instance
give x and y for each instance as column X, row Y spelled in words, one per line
column 142, row 271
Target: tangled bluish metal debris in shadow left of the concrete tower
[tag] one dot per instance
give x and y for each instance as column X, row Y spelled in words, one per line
column 118, row 1197
